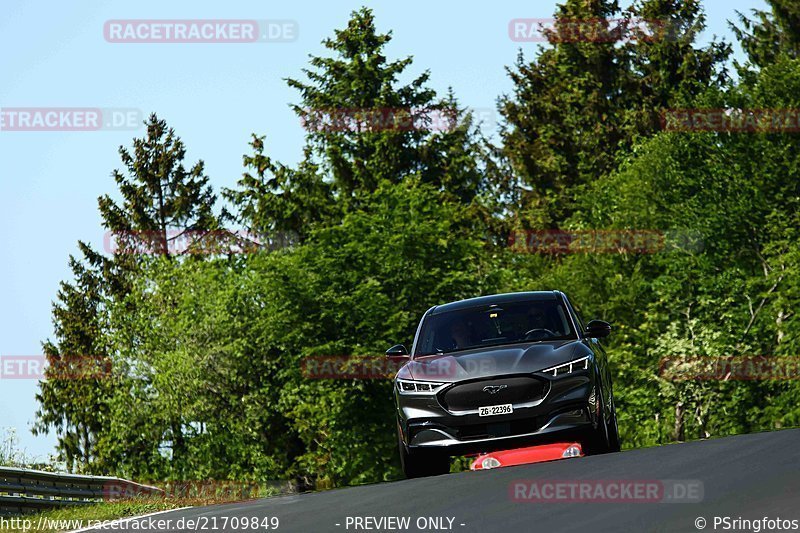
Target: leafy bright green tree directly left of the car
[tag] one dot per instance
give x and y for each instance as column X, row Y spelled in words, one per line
column 369, row 280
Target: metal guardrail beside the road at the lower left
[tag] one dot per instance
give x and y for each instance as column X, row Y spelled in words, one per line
column 26, row 491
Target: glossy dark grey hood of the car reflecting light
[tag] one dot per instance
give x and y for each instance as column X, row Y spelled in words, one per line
column 493, row 361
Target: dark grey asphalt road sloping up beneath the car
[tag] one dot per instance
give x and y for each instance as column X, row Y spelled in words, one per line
column 747, row 477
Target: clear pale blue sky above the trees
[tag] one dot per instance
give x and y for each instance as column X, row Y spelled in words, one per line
column 214, row 95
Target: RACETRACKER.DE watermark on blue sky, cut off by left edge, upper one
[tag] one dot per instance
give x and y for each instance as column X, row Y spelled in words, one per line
column 69, row 119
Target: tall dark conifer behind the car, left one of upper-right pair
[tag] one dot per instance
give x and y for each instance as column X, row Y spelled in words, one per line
column 562, row 121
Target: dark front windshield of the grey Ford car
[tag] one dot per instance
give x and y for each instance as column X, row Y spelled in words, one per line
column 491, row 325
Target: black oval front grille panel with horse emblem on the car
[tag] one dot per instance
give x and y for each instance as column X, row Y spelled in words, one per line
column 514, row 390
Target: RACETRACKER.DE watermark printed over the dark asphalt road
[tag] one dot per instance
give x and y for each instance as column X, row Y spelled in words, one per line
column 607, row 490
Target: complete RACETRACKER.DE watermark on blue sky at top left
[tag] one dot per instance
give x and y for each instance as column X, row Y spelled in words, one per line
column 207, row 31
